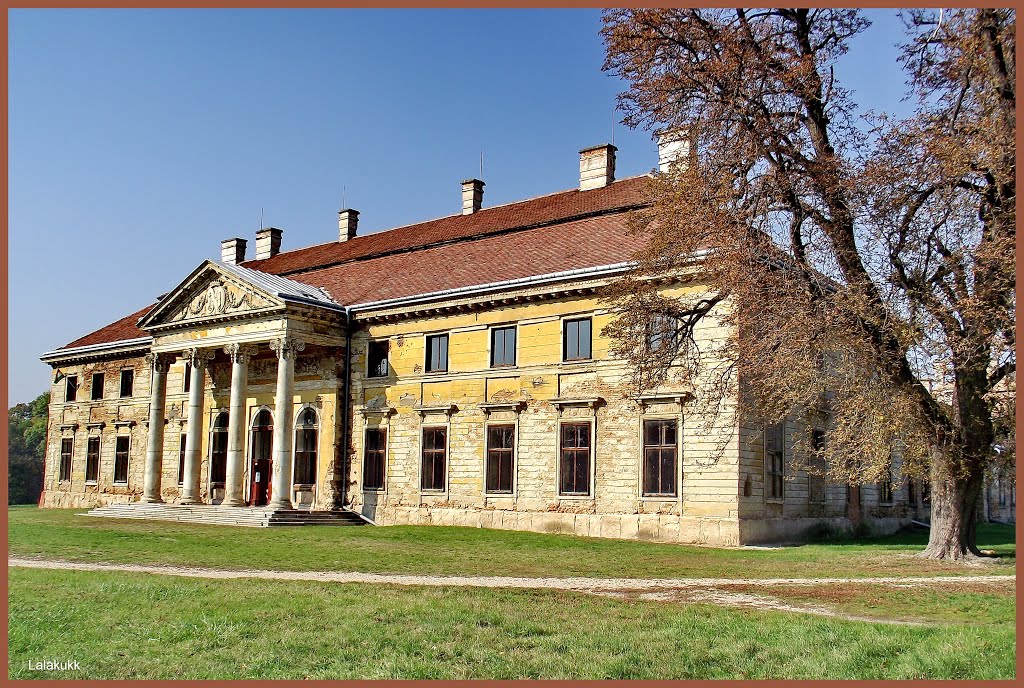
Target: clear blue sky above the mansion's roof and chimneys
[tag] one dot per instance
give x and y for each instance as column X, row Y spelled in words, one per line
column 141, row 139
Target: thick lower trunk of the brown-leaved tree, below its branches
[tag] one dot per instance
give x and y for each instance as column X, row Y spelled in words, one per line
column 955, row 517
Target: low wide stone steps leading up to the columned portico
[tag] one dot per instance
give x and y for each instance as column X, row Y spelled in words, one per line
column 254, row 518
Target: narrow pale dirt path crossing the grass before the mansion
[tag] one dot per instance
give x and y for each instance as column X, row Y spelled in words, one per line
column 713, row 591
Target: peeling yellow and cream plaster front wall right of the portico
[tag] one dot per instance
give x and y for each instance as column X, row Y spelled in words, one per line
column 705, row 511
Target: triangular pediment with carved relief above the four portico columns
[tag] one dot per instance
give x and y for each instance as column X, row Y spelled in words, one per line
column 210, row 294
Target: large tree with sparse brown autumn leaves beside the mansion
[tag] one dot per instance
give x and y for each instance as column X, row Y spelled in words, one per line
column 862, row 266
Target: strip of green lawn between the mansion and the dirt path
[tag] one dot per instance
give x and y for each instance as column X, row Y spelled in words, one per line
column 438, row 550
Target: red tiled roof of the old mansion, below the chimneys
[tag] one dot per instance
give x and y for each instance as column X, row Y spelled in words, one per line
column 552, row 234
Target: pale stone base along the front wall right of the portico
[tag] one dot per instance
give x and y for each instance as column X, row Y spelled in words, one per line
column 652, row 528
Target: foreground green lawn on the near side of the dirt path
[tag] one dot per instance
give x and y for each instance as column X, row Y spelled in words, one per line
column 142, row 627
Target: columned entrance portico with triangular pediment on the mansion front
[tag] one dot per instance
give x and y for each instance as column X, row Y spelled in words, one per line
column 221, row 323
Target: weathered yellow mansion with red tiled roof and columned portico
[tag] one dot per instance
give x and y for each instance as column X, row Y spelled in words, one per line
column 452, row 372
